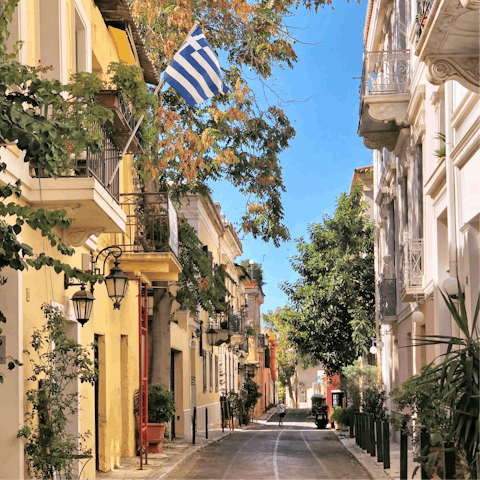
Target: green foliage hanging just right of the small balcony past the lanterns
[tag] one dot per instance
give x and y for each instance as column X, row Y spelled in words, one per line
column 199, row 282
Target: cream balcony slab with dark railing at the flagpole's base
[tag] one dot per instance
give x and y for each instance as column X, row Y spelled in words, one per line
column 89, row 191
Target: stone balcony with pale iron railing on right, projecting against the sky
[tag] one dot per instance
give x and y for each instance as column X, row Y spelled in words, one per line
column 384, row 97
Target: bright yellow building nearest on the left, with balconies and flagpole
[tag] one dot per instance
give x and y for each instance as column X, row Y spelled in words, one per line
column 72, row 36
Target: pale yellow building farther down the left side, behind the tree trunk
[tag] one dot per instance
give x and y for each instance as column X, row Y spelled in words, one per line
column 205, row 371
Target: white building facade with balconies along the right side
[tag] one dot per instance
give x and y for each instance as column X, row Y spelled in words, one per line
column 420, row 114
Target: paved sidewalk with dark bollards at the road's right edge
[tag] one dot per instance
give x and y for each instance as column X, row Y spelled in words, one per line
column 374, row 468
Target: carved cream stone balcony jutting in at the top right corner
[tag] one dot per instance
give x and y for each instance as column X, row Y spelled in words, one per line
column 448, row 41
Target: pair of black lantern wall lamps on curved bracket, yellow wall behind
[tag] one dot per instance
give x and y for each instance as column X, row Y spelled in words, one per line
column 116, row 282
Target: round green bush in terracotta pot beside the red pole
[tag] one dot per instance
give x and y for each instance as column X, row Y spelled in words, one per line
column 161, row 409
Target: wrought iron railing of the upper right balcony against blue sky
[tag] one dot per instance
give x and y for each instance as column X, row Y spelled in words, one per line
column 385, row 73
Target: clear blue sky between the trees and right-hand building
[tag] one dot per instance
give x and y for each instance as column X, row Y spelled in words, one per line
column 319, row 164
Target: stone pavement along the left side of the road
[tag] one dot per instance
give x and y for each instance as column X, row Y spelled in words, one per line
column 174, row 453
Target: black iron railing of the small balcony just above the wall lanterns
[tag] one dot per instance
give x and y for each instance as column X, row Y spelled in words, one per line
column 152, row 224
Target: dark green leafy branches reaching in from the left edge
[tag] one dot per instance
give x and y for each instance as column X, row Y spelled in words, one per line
column 48, row 143
